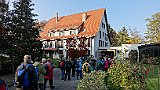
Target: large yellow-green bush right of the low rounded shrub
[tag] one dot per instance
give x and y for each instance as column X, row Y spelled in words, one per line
column 122, row 77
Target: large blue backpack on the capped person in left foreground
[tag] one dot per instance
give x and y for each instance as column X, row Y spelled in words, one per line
column 23, row 77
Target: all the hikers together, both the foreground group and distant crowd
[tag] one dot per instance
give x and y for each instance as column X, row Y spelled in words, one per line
column 34, row 75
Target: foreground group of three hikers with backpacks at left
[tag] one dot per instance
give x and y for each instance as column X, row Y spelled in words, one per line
column 31, row 76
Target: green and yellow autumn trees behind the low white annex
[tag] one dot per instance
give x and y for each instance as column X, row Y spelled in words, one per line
column 125, row 36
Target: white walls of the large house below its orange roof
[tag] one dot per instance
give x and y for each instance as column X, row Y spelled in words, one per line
column 97, row 43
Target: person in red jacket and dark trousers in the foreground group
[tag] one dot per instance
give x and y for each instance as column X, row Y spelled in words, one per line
column 49, row 76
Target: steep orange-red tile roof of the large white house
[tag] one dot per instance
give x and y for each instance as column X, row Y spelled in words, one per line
column 74, row 21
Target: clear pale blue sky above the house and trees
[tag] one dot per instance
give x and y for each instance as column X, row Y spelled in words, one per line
column 128, row 13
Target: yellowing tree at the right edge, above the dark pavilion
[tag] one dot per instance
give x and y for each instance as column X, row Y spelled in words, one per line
column 153, row 25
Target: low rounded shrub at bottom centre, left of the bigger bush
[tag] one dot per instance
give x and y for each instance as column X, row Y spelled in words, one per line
column 93, row 81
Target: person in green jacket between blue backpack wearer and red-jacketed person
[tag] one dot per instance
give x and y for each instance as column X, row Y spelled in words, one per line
column 40, row 70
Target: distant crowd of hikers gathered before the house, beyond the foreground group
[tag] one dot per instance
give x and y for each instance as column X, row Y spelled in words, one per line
column 83, row 66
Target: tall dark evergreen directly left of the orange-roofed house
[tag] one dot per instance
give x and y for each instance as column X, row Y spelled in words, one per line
column 25, row 33
